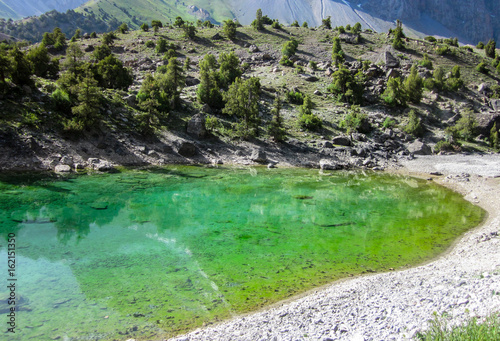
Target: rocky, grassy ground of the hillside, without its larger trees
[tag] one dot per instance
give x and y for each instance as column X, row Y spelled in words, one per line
column 33, row 135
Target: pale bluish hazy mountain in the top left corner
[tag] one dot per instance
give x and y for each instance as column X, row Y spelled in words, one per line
column 17, row 9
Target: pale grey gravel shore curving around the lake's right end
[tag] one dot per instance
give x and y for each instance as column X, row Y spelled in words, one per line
column 463, row 283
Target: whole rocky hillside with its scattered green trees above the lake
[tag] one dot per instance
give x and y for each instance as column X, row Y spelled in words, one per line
column 134, row 125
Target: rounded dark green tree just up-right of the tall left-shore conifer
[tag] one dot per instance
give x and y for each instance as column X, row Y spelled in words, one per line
column 110, row 73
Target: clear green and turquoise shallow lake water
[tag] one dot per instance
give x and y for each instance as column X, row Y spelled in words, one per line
column 147, row 254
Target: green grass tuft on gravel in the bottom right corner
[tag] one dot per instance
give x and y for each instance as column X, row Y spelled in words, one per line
column 489, row 330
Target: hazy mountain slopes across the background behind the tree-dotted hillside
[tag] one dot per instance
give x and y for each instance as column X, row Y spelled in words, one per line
column 469, row 20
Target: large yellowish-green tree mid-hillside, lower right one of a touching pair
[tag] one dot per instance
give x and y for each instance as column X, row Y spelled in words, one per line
column 242, row 101
